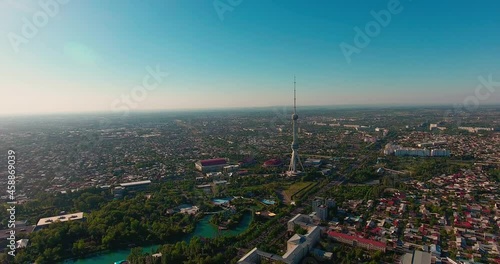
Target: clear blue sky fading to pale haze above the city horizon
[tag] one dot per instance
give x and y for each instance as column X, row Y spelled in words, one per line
column 92, row 53
